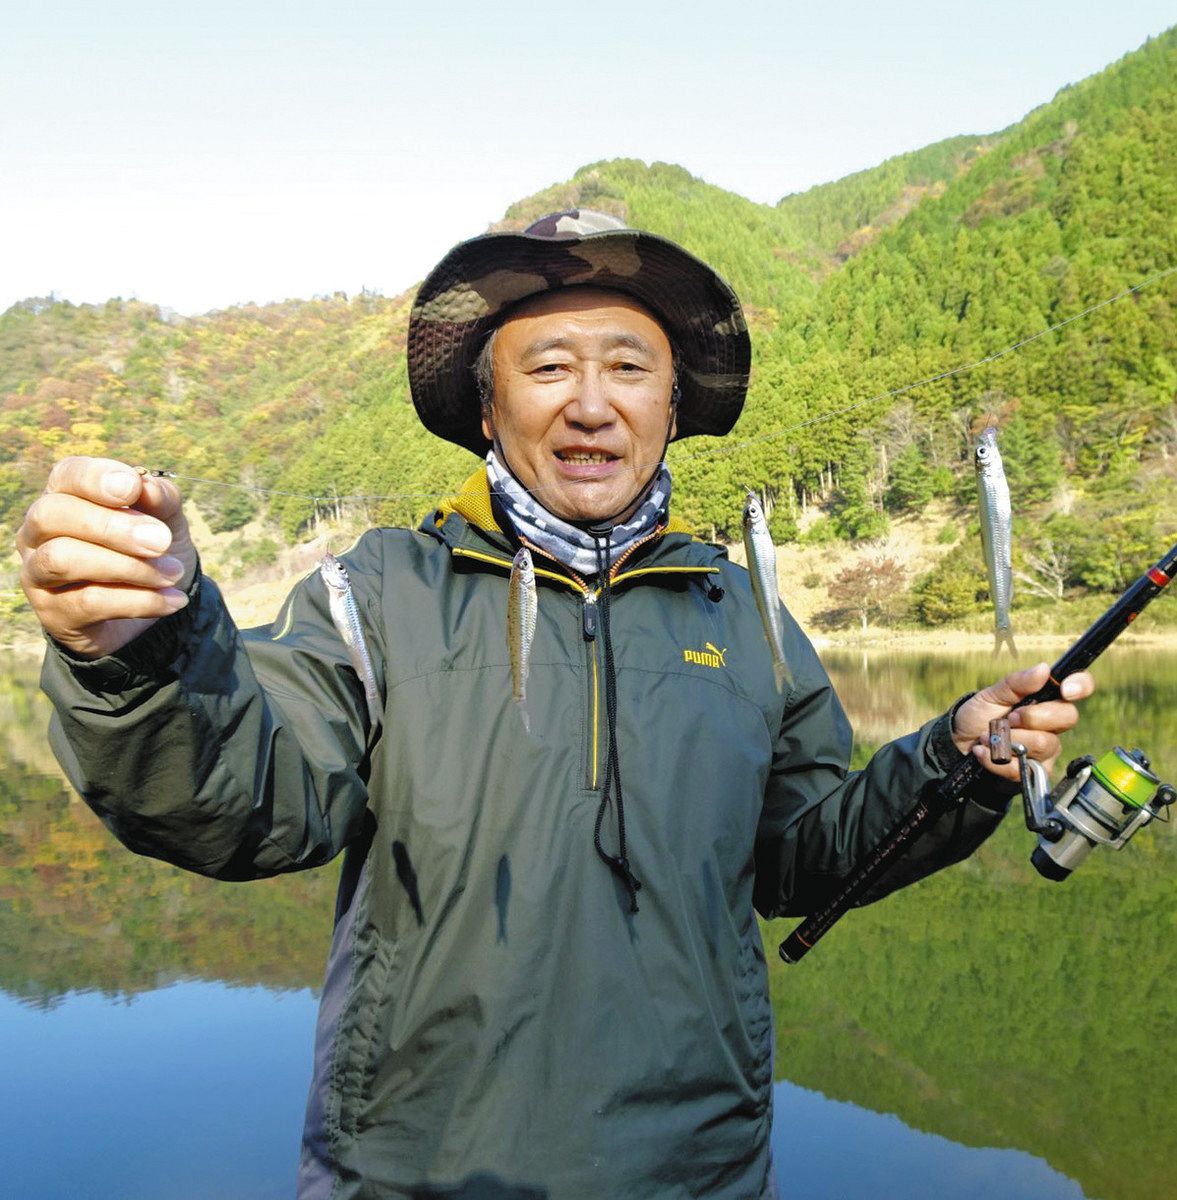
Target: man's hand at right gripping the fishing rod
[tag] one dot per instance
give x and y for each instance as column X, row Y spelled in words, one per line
column 1037, row 727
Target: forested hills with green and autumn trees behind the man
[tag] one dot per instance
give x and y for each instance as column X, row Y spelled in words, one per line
column 930, row 262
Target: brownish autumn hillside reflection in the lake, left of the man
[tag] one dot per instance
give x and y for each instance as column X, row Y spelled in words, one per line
column 81, row 914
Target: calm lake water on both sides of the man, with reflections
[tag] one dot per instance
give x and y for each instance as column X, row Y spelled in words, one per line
column 983, row 1034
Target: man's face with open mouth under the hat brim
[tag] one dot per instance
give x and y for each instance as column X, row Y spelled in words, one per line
column 583, row 400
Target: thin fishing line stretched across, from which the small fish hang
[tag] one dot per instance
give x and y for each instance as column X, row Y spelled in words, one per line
column 728, row 448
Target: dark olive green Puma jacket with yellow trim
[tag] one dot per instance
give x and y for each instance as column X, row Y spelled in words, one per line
column 496, row 1022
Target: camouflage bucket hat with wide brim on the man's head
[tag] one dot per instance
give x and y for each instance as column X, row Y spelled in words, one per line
column 475, row 287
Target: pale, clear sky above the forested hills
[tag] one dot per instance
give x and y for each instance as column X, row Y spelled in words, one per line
column 200, row 157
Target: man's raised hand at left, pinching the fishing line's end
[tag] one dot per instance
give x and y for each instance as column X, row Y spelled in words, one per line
column 106, row 553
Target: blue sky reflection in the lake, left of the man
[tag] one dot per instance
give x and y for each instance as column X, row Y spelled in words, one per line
column 185, row 1094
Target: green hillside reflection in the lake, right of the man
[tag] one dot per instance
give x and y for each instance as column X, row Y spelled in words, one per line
column 988, row 1005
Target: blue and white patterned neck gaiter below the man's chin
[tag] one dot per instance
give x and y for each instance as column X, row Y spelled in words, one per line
column 566, row 543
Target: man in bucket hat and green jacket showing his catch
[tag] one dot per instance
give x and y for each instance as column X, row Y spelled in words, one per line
column 547, row 977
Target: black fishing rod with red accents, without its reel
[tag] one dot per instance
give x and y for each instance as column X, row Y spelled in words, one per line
column 951, row 791
